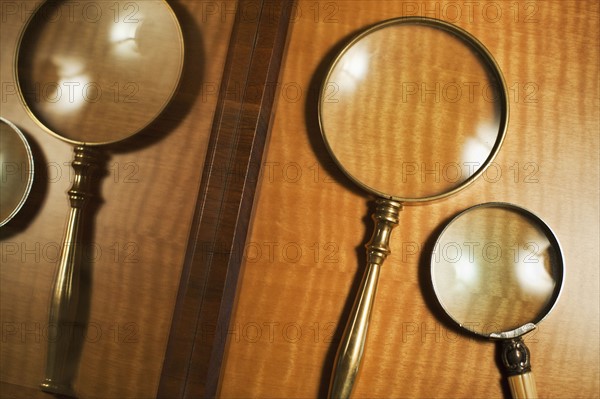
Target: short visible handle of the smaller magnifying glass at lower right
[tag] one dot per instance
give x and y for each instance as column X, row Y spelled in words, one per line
column 515, row 358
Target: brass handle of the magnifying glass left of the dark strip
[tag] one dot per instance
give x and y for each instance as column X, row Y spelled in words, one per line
column 65, row 291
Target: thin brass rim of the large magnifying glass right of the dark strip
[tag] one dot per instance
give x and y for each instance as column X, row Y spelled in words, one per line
column 491, row 66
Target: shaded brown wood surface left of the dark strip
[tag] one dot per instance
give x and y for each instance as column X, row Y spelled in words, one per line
column 138, row 237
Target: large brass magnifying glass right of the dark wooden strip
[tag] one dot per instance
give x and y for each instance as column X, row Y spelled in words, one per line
column 412, row 110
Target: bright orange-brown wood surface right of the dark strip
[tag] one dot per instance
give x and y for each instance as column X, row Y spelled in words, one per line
column 305, row 254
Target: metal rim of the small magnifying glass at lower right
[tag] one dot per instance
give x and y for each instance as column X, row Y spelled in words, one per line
column 560, row 269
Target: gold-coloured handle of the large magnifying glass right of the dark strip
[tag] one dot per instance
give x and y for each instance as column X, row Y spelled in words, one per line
column 350, row 351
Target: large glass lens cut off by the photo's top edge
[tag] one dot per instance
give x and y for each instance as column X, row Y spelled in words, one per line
column 99, row 71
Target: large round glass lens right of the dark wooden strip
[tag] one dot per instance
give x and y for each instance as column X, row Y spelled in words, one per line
column 410, row 111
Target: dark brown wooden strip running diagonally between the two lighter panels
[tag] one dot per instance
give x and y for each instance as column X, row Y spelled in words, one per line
column 208, row 285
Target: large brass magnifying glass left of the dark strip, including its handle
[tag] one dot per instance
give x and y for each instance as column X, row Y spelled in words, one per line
column 93, row 73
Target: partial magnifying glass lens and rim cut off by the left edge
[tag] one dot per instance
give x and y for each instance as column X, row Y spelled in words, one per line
column 16, row 177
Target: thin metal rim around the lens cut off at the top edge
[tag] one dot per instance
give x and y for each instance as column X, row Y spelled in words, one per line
column 32, row 114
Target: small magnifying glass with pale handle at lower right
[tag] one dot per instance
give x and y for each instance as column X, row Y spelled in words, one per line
column 498, row 270
